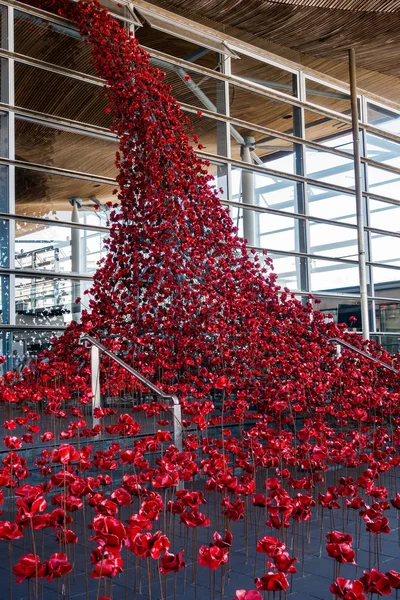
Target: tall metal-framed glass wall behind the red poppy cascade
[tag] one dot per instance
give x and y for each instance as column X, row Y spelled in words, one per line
column 278, row 141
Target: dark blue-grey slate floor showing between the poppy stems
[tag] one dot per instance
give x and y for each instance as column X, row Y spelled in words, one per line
column 315, row 570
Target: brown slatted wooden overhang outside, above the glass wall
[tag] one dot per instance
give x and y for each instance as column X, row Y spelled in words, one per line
column 315, row 27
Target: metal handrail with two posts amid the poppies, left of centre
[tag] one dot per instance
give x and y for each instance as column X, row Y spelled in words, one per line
column 176, row 408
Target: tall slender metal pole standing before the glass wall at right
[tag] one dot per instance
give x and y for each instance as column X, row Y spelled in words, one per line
column 359, row 199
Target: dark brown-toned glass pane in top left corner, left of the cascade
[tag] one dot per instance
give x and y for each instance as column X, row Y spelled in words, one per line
column 51, row 42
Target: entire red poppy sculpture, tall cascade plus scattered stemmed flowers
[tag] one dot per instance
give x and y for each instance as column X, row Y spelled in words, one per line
column 183, row 300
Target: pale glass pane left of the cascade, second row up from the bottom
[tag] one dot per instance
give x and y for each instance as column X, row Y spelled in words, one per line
column 48, row 300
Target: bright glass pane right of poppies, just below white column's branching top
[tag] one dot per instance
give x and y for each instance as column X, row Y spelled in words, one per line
column 269, row 191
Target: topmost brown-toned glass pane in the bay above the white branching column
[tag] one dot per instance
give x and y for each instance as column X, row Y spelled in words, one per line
column 260, row 72
